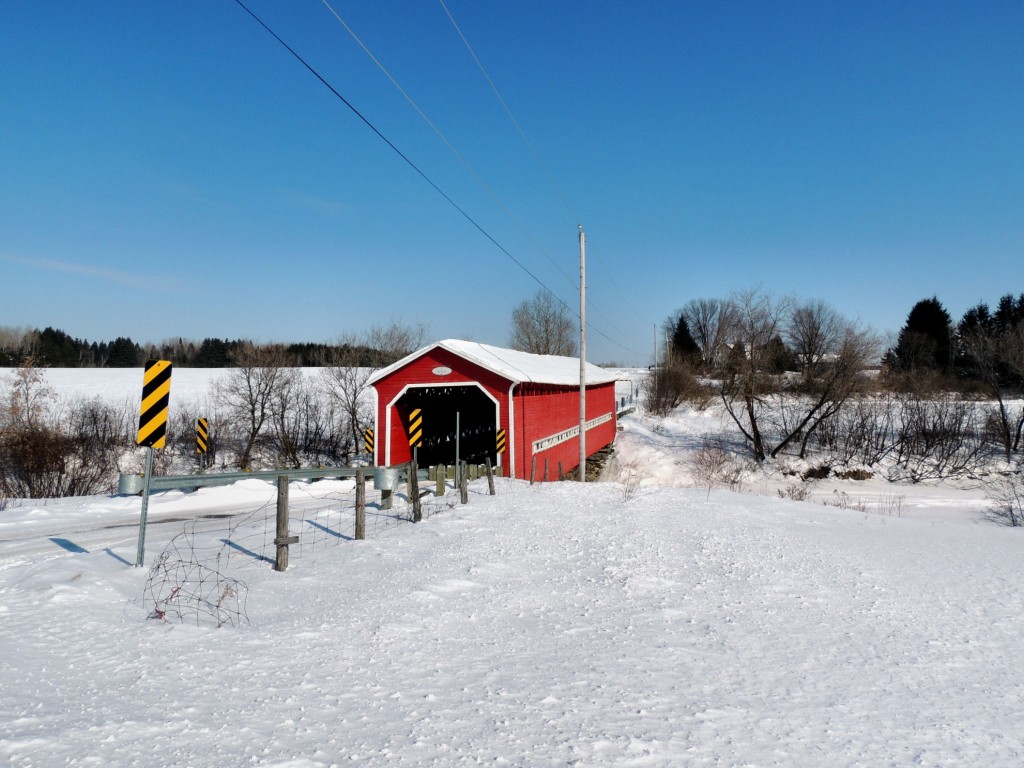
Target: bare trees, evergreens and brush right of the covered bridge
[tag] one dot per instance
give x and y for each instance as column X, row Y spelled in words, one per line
column 794, row 378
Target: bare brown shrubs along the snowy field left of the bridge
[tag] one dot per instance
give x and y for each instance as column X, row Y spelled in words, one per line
column 263, row 411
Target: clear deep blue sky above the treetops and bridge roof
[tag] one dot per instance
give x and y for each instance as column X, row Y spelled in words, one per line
column 169, row 169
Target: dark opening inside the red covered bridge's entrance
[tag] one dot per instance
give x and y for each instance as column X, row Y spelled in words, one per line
column 441, row 408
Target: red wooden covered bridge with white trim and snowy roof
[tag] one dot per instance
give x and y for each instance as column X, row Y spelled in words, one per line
column 486, row 391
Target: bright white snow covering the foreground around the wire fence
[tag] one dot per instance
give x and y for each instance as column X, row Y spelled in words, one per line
column 639, row 624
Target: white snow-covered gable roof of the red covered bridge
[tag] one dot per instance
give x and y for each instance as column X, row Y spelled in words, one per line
column 513, row 365
